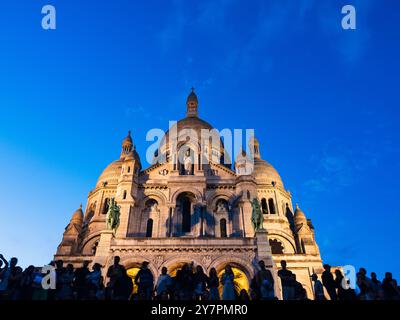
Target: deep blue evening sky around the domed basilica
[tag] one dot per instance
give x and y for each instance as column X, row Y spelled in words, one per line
column 323, row 102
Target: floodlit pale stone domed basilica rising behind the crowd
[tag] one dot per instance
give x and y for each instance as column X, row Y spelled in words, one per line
column 192, row 206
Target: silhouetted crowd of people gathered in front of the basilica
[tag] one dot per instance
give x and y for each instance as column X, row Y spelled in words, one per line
column 189, row 283
